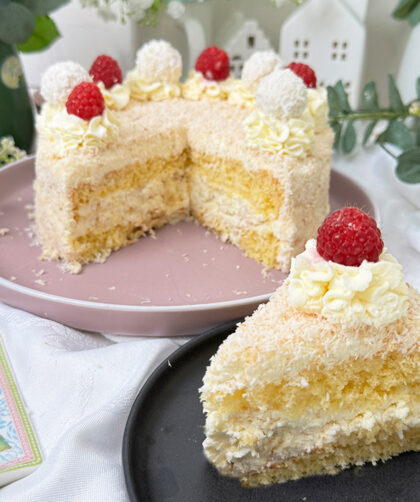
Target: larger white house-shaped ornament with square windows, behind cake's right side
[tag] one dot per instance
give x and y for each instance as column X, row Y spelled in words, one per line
column 330, row 37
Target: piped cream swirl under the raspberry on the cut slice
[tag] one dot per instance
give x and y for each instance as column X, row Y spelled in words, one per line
column 373, row 293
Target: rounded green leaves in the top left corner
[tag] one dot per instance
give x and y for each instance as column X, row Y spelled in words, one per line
column 26, row 23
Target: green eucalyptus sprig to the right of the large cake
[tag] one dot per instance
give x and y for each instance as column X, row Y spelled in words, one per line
column 395, row 132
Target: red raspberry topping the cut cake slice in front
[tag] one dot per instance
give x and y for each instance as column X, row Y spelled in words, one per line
column 349, row 236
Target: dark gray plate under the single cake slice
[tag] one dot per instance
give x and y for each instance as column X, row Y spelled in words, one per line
column 163, row 458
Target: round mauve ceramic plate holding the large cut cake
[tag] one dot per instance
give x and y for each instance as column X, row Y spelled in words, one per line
column 180, row 282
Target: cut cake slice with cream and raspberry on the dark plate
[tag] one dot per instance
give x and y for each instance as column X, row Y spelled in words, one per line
column 326, row 374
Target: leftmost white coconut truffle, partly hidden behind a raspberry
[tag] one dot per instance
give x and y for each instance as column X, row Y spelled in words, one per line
column 60, row 79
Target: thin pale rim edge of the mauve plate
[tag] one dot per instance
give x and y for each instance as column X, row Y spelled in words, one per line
column 93, row 305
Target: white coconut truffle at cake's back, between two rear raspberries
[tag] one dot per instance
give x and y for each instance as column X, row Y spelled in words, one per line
column 158, row 61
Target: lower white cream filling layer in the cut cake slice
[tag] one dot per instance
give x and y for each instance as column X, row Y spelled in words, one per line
column 255, row 444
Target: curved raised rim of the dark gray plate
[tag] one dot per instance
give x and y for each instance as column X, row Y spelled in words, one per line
column 142, row 393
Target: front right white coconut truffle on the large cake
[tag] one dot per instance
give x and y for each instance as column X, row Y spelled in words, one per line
column 282, row 94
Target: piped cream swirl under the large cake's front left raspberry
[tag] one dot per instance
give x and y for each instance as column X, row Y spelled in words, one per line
column 72, row 132
